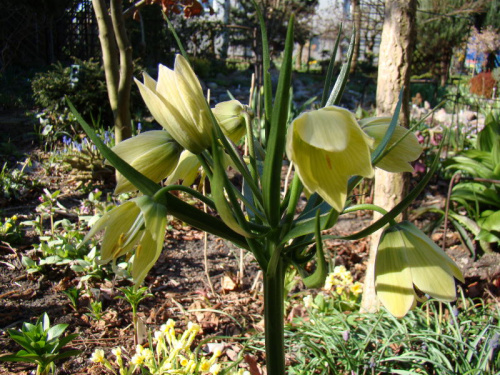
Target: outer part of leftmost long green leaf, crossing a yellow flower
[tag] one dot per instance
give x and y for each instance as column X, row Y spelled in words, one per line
column 141, row 182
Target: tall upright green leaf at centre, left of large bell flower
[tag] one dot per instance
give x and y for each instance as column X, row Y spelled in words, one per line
column 271, row 180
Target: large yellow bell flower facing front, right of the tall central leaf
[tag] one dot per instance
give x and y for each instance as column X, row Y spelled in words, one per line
column 327, row 146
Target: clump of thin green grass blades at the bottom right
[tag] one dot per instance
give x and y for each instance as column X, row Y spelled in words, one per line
column 436, row 338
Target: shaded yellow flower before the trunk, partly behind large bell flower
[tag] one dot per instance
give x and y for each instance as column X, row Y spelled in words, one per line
column 406, row 151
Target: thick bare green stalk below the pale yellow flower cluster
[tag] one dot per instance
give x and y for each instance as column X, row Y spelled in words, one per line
column 274, row 320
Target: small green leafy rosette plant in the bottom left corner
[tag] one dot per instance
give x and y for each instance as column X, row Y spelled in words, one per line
column 42, row 344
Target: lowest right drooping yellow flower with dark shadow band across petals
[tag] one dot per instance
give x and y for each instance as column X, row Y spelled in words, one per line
column 408, row 259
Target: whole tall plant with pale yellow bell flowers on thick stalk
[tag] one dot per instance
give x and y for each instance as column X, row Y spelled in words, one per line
column 330, row 153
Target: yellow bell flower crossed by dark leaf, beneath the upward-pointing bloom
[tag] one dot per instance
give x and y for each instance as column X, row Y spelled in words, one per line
column 154, row 153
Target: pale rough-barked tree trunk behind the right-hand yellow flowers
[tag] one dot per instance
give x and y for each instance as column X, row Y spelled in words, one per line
column 396, row 48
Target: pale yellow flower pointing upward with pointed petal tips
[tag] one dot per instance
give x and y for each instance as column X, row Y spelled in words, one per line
column 176, row 101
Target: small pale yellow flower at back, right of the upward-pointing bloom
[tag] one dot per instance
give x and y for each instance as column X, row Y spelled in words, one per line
column 229, row 114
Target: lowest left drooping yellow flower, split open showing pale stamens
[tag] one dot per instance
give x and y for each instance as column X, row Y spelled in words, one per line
column 139, row 223
